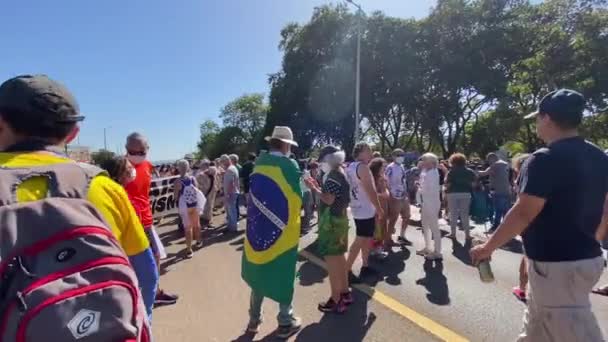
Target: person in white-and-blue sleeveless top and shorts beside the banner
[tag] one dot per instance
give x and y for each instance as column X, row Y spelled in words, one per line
column 188, row 200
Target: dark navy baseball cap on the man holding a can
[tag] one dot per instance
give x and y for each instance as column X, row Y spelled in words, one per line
column 562, row 106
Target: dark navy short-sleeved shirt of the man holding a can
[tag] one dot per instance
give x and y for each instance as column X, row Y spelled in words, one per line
column 572, row 176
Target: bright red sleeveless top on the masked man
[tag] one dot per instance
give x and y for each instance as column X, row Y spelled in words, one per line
column 139, row 192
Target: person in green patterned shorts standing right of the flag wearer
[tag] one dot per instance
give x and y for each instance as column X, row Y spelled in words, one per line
column 332, row 242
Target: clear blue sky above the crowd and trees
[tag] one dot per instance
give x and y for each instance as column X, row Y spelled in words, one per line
column 159, row 67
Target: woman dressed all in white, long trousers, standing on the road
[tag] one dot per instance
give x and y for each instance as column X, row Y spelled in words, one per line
column 431, row 203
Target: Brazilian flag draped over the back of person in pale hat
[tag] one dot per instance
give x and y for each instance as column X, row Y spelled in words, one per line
column 273, row 227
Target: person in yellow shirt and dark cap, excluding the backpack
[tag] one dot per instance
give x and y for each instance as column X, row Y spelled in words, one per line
column 38, row 117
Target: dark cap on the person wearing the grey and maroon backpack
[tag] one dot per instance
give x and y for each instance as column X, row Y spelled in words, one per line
column 39, row 98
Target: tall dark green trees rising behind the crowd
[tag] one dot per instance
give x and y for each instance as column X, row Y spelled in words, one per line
column 460, row 79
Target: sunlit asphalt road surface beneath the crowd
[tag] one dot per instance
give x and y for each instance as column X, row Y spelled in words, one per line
column 414, row 299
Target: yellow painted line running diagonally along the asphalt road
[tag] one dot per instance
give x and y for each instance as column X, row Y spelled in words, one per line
column 422, row 321
